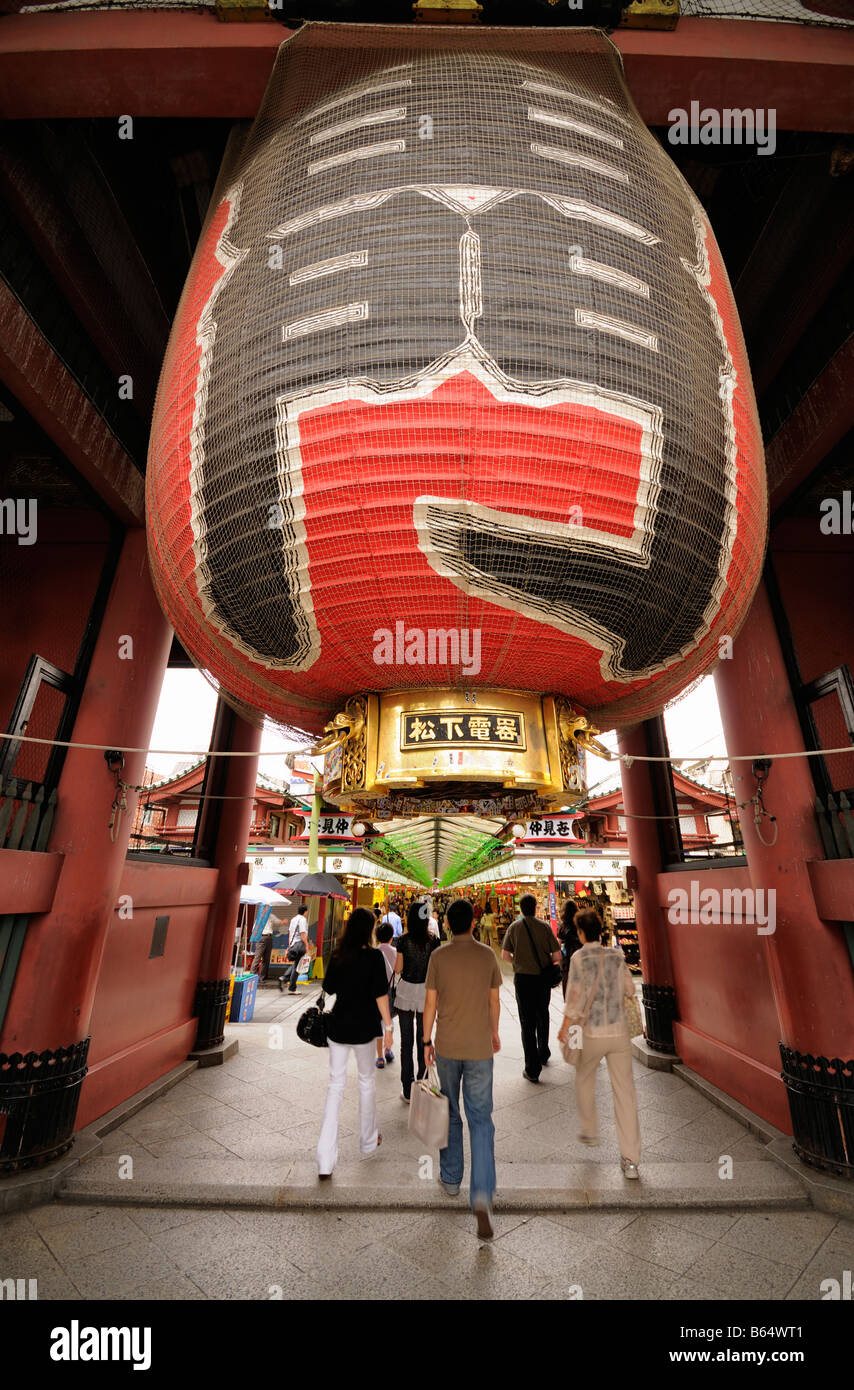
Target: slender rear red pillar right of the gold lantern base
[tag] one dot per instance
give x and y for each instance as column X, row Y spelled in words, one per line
column 645, row 851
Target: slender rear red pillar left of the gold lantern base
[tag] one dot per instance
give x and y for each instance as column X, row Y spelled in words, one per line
column 234, row 817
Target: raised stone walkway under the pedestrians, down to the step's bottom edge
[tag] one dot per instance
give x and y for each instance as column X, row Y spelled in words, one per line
column 245, row 1135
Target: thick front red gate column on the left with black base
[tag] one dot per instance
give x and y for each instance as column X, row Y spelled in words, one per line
column 52, row 999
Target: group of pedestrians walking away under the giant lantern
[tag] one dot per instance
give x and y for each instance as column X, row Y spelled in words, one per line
column 454, row 988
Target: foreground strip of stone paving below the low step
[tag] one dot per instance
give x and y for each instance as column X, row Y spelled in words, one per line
column 184, row 1253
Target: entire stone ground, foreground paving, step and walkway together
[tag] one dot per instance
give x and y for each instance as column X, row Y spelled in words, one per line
column 186, row 1200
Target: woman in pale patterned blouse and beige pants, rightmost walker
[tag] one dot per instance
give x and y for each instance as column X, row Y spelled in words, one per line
column 597, row 986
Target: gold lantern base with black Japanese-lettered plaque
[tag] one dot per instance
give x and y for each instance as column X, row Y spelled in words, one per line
column 443, row 751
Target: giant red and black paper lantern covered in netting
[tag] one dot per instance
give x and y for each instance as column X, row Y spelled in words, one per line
column 457, row 352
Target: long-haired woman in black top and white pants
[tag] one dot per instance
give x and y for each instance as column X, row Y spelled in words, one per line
column 357, row 978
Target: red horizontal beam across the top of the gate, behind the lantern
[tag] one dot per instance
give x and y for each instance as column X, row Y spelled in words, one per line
column 186, row 65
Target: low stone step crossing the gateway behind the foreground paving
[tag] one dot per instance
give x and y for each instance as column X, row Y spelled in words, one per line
column 387, row 1182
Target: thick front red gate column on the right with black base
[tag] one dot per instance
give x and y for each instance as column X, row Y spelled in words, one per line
column 809, row 961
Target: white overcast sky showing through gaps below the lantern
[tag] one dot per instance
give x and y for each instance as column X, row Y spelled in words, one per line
column 187, row 710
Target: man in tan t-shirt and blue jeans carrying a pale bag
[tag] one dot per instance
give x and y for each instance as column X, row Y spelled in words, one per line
column 464, row 981
